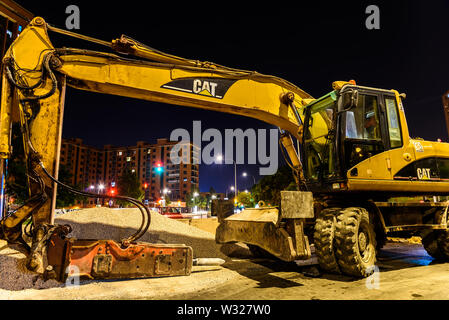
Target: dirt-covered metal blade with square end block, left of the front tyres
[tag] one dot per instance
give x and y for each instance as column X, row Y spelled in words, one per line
column 279, row 232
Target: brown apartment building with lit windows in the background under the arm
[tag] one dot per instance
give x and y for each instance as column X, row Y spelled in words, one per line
column 98, row 170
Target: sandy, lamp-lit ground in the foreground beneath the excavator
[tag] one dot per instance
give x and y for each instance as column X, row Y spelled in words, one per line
column 406, row 273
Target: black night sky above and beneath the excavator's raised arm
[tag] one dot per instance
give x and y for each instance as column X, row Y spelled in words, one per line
column 310, row 45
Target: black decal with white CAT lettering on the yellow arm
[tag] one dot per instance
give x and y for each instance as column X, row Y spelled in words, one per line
column 209, row 87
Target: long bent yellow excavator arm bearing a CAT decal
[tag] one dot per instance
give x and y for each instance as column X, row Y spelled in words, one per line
column 37, row 74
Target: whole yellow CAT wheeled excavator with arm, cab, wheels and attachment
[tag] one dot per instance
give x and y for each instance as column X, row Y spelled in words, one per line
column 353, row 159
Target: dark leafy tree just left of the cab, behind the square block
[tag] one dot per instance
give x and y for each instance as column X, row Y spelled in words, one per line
column 269, row 188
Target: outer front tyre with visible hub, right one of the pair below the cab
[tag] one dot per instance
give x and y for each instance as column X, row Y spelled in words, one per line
column 355, row 242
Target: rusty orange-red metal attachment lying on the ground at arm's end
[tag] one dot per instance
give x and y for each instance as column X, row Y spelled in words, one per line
column 107, row 259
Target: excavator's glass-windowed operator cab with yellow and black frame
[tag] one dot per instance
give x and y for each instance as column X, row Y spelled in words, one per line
column 345, row 128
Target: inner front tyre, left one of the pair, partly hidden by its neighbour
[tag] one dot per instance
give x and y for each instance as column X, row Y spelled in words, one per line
column 324, row 240
